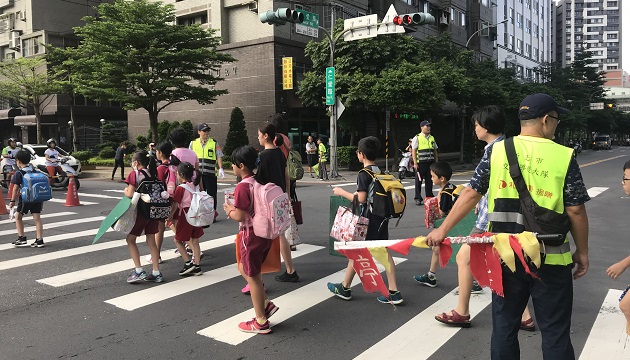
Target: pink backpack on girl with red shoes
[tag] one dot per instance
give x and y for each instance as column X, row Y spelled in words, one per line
column 271, row 209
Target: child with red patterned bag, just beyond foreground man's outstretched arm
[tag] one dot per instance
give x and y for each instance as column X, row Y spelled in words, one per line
column 441, row 173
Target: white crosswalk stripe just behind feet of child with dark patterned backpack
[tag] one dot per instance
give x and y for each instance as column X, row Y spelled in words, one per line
column 124, row 265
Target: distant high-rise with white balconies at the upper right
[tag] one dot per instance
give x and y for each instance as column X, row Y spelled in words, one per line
column 588, row 25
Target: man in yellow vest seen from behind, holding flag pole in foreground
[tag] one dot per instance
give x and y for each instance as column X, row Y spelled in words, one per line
column 555, row 183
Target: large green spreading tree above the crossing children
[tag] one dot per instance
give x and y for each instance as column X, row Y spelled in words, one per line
column 138, row 57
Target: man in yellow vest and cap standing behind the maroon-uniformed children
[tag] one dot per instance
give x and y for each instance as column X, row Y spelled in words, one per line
column 209, row 153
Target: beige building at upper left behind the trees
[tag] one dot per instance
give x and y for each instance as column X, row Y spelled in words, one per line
column 26, row 27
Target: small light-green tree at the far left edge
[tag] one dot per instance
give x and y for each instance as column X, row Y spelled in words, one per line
column 26, row 81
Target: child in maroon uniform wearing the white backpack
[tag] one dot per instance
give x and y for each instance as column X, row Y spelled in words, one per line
column 184, row 232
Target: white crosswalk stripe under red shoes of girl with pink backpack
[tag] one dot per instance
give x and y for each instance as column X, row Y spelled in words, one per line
column 290, row 304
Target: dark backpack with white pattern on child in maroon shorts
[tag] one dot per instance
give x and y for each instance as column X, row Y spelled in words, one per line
column 153, row 205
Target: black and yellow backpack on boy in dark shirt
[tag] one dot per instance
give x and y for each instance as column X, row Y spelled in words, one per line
column 387, row 196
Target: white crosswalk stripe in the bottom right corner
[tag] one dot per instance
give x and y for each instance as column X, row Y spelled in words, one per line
column 608, row 338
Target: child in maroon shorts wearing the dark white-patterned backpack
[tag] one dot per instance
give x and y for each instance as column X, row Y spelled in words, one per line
column 143, row 165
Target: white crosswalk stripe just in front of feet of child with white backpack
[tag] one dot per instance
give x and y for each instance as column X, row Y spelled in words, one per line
column 184, row 285
